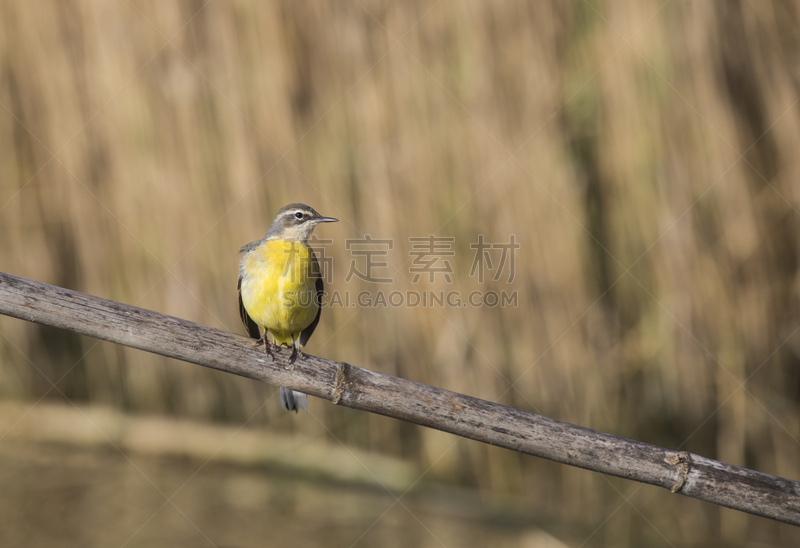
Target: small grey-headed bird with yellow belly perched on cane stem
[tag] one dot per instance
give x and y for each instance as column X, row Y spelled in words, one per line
column 280, row 287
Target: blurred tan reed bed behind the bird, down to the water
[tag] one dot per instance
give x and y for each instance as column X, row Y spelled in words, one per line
column 658, row 270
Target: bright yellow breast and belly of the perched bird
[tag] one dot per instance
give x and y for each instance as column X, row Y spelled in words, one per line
column 278, row 289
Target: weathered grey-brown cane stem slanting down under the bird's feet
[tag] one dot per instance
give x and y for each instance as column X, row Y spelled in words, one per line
column 344, row 384
